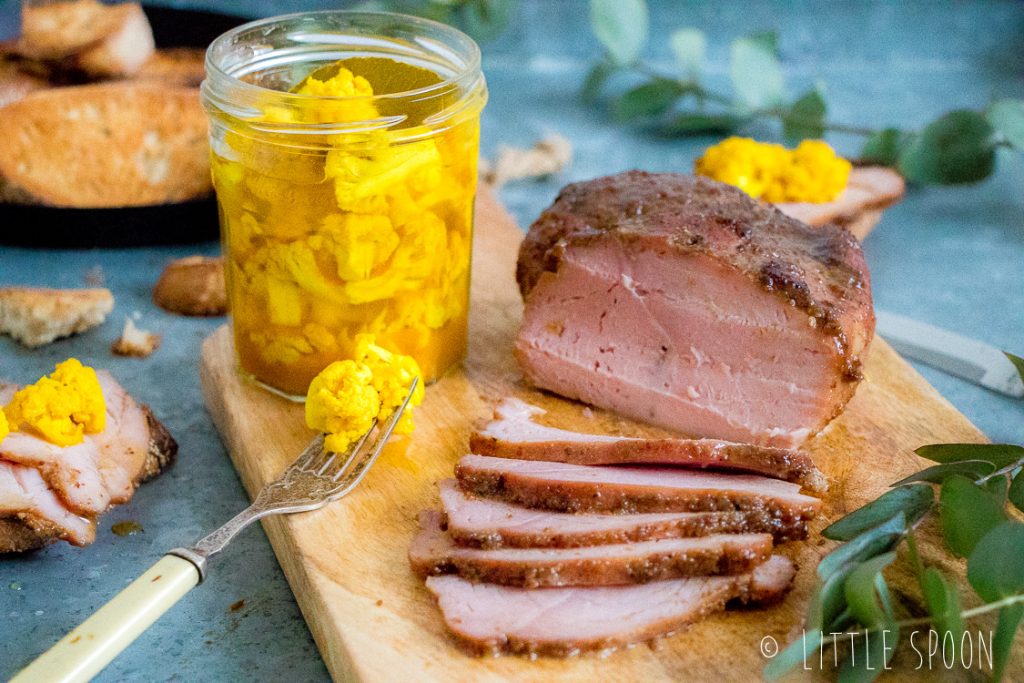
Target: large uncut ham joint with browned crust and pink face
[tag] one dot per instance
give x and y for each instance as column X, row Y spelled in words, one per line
column 687, row 304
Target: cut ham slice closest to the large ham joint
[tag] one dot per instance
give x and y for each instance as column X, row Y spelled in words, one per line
column 514, row 434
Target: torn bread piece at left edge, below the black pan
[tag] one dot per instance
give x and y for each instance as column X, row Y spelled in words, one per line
column 37, row 317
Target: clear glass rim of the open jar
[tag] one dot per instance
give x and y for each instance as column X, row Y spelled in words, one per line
column 286, row 41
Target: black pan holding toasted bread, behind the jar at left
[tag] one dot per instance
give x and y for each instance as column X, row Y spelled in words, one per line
column 131, row 227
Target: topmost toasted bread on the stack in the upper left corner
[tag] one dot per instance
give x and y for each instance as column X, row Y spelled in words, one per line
column 104, row 40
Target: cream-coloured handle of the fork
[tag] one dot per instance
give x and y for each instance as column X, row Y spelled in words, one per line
column 83, row 653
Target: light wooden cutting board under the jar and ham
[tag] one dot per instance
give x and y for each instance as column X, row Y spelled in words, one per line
column 374, row 621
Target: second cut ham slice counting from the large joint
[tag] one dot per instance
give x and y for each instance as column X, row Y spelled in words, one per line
column 586, row 489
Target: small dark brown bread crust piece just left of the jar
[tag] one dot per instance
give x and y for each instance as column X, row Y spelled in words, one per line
column 193, row 286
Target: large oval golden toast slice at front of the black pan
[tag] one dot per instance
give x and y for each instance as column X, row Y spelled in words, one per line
column 110, row 145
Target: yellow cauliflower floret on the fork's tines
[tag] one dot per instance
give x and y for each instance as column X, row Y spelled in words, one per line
column 346, row 399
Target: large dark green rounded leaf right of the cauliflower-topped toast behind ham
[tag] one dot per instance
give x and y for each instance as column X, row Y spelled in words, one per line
column 958, row 148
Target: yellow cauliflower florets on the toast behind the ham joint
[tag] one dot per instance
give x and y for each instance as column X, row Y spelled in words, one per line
column 812, row 174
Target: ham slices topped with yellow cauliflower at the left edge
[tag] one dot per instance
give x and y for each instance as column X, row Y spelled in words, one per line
column 58, row 477
